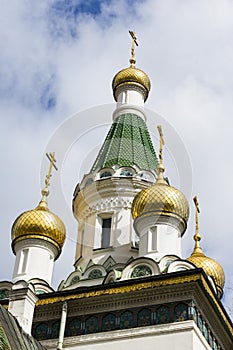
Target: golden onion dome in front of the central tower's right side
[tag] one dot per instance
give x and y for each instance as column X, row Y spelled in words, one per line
column 161, row 199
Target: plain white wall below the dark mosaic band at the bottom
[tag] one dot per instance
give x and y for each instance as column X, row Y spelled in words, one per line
column 176, row 336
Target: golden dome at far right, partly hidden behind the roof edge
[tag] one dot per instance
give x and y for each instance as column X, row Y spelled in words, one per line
column 211, row 267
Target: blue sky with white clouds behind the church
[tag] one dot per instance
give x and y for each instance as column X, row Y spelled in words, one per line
column 57, row 62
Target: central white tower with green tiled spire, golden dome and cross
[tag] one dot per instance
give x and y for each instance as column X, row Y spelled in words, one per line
column 126, row 163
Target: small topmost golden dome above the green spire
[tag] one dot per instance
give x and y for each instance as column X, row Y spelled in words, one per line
column 131, row 76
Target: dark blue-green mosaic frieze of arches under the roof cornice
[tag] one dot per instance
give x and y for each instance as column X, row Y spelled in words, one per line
column 125, row 319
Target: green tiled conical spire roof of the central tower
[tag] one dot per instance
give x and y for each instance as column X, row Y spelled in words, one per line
column 128, row 143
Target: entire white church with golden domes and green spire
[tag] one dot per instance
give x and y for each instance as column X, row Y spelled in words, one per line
column 131, row 287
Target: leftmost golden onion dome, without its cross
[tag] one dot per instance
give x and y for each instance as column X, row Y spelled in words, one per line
column 39, row 223
